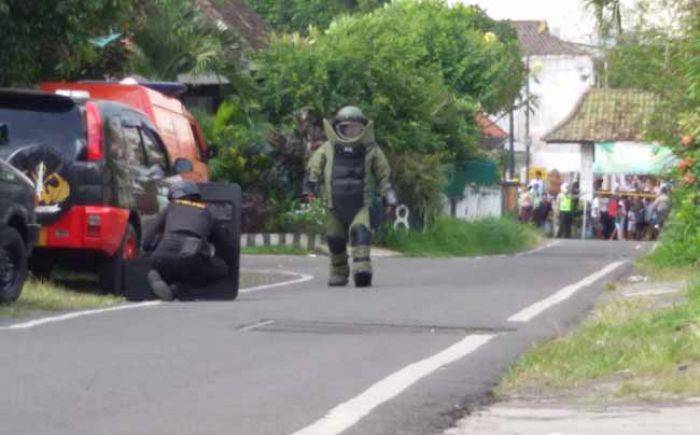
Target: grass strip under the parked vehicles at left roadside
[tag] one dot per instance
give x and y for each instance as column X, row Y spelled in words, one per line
column 44, row 296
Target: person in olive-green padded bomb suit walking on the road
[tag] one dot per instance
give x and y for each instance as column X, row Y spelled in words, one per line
column 341, row 170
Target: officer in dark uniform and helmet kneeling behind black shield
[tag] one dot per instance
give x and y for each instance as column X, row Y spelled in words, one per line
column 180, row 240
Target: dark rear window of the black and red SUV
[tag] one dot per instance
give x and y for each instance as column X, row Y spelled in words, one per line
column 27, row 124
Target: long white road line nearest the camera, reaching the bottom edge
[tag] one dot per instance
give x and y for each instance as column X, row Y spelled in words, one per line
column 347, row 414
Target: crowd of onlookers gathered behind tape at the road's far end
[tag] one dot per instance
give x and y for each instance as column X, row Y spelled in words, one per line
column 635, row 209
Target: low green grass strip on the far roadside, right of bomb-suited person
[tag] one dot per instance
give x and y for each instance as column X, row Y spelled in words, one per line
column 450, row 237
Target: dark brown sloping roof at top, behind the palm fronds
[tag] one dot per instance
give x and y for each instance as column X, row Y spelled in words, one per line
column 237, row 15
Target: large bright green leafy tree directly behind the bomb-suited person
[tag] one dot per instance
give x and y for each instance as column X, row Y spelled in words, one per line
column 420, row 70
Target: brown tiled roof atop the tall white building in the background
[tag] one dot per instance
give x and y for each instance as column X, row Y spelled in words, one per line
column 535, row 40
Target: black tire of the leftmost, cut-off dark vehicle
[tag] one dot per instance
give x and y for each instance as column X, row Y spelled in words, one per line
column 13, row 264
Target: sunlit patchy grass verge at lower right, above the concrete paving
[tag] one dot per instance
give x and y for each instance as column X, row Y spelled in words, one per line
column 647, row 353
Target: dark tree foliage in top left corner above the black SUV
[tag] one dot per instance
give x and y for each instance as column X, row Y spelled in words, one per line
column 44, row 40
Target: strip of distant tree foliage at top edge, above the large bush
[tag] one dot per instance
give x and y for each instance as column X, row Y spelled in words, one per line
column 299, row 15
